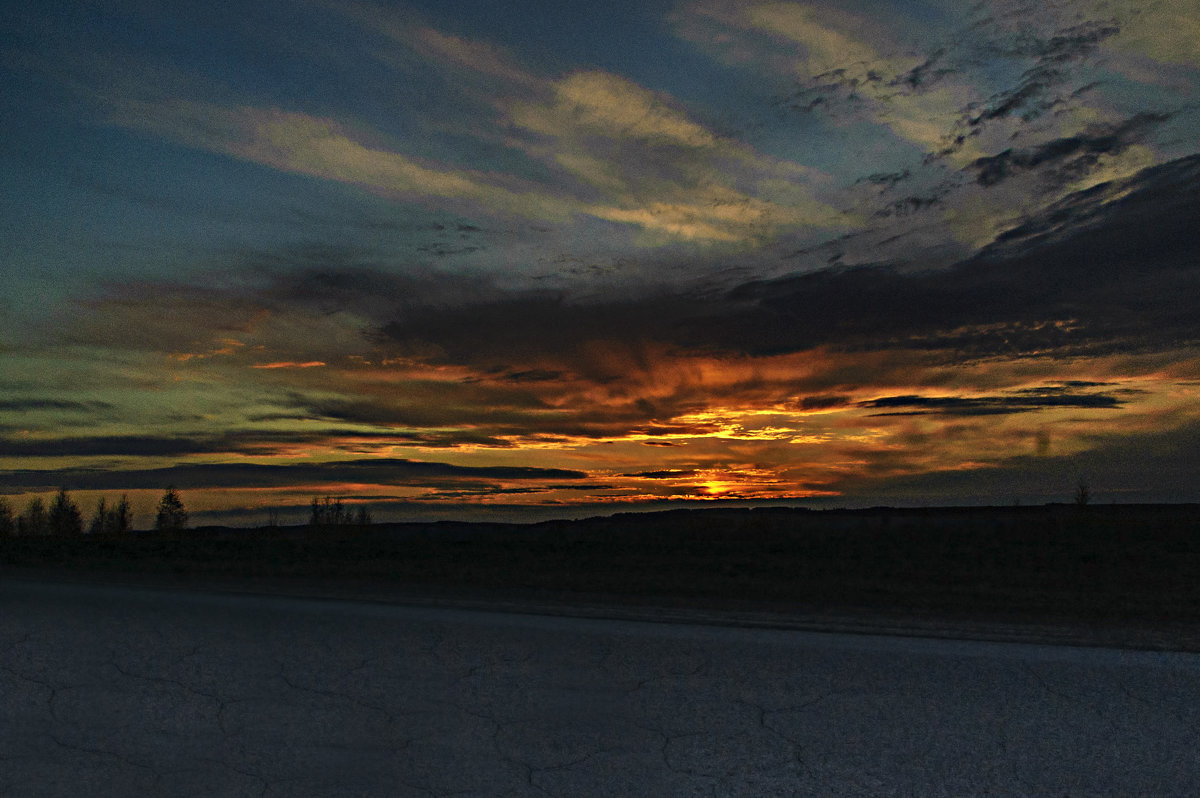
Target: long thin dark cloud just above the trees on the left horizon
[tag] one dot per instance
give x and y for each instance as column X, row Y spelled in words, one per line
column 209, row 476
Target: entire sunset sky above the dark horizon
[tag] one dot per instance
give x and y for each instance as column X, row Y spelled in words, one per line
column 531, row 260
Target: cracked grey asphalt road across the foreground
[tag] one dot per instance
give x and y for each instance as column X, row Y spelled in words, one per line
column 136, row 693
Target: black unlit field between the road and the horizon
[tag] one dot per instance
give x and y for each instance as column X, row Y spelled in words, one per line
column 1094, row 569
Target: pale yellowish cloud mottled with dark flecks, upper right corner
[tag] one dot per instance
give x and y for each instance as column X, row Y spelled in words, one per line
column 1007, row 89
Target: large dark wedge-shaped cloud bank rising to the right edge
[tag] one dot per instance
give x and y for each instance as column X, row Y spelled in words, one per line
column 1089, row 277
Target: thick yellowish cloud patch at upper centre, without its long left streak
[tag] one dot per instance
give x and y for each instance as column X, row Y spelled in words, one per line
column 656, row 167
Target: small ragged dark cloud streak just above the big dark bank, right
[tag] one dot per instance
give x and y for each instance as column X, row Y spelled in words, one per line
column 1069, row 158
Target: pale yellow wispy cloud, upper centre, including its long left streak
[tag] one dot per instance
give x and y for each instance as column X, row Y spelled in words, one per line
column 598, row 148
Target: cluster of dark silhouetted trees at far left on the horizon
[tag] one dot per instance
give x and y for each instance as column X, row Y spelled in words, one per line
column 64, row 519
